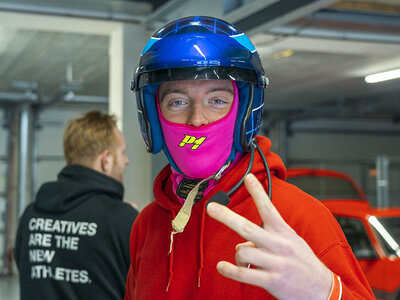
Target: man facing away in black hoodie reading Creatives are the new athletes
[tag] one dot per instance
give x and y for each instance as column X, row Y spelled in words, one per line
column 73, row 241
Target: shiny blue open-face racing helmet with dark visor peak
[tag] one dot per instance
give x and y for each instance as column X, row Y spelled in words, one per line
column 203, row 48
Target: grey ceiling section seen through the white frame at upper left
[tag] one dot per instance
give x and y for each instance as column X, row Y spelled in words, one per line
column 55, row 61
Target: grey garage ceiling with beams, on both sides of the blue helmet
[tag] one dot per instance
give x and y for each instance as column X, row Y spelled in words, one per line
column 316, row 52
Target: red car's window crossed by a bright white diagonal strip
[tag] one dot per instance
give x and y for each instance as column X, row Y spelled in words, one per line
column 387, row 229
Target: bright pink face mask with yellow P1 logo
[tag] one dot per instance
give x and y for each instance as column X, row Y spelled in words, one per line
column 200, row 152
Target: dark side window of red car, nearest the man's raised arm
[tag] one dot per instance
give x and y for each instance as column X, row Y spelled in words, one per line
column 357, row 237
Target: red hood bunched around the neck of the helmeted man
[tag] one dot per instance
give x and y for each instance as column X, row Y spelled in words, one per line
column 167, row 199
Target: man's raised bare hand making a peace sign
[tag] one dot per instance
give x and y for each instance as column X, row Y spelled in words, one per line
column 283, row 263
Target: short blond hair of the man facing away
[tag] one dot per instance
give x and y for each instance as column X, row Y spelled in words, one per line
column 88, row 136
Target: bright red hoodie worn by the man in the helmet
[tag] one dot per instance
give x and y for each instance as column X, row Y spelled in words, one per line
column 189, row 270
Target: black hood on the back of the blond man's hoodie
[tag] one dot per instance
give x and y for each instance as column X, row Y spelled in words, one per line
column 75, row 184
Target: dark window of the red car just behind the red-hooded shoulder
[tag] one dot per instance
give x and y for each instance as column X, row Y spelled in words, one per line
column 324, row 187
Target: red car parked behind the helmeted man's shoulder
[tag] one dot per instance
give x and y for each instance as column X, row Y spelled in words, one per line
column 372, row 233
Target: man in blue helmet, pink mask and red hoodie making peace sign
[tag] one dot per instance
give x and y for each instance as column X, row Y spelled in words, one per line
column 199, row 89
